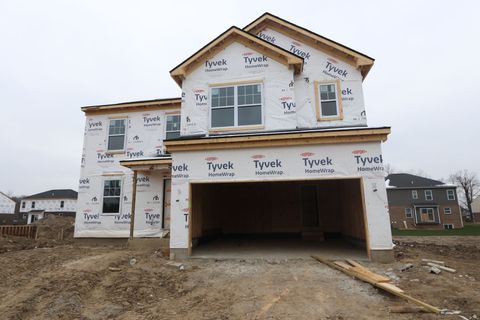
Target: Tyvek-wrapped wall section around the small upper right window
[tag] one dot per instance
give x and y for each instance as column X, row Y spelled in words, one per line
column 319, row 66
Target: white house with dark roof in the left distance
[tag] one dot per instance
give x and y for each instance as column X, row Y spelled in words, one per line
column 62, row 202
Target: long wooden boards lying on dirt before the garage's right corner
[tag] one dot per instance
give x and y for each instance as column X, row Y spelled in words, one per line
column 360, row 272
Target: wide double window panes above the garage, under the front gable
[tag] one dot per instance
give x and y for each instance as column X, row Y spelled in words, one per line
column 236, row 106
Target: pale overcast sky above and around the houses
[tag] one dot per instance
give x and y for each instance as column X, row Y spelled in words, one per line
column 56, row 56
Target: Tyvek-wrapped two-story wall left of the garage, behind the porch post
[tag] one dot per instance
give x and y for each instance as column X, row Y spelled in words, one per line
column 144, row 138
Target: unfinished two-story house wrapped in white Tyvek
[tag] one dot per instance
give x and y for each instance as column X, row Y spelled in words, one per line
column 269, row 137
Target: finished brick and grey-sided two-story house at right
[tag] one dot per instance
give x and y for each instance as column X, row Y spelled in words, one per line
column 421, row 203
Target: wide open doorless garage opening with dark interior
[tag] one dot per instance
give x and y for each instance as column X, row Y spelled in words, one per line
column 278, row 219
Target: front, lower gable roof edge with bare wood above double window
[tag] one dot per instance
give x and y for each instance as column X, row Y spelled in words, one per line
column 234, row 34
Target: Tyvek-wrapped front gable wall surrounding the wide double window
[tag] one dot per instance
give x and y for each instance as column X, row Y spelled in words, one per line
column 238, row 65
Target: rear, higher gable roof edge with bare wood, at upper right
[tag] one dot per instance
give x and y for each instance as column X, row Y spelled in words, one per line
column 359, row 60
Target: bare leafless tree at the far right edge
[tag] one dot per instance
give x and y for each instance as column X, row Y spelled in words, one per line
column 469, row 187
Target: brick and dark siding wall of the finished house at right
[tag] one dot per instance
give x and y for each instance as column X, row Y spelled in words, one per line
column 400, row 199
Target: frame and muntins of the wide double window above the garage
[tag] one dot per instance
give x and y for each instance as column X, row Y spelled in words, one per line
column 235, row 106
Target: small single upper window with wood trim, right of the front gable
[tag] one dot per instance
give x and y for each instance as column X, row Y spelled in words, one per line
column 329, row 100
